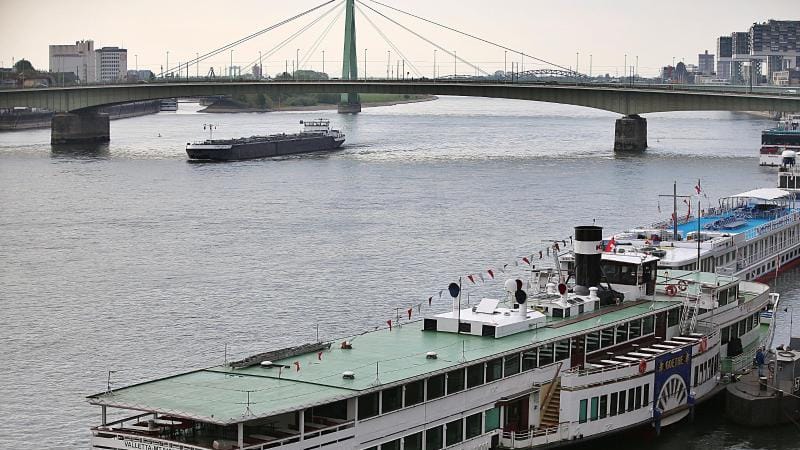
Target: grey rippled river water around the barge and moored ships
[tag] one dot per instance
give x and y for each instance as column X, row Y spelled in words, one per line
column 128, row 258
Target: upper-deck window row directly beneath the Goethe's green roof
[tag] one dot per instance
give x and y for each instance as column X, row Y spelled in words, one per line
column 437, row 386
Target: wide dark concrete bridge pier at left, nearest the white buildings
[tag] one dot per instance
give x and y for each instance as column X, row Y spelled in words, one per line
column 79, row 127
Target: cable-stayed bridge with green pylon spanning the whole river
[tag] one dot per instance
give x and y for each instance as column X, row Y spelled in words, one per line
column 78, row 120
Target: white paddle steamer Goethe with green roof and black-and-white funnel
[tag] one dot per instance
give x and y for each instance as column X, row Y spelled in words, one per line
column 563, row 356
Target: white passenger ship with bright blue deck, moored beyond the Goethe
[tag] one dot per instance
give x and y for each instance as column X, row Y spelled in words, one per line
column 752, row 235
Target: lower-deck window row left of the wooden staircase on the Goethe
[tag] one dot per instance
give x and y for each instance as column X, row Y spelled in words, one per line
column 446, row 435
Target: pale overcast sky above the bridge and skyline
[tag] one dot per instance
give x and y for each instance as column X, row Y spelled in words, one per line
column 551, row 30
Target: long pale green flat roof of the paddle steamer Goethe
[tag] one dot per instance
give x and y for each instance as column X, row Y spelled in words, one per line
column 378, row 359
